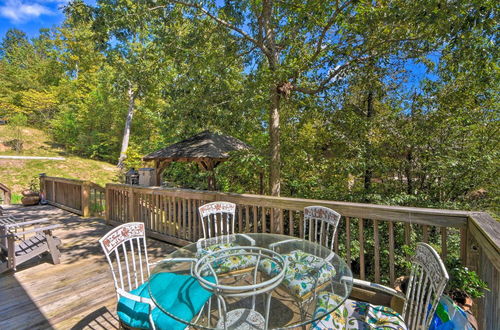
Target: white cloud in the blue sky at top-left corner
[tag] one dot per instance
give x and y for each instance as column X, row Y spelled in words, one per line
column 19, row 11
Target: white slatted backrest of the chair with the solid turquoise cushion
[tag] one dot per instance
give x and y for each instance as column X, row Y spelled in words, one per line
column 127, row 255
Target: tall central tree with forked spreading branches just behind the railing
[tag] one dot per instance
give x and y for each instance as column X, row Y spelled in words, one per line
column 307, row 47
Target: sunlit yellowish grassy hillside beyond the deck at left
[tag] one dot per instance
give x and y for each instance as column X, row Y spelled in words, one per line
column 17, row 174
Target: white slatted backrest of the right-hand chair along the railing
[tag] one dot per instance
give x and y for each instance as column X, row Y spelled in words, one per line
column 320, row 225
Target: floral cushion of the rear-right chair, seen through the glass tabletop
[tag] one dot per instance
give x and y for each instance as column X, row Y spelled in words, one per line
column 305, row 272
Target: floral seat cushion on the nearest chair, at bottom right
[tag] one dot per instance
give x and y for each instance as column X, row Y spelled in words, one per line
column 355, row 315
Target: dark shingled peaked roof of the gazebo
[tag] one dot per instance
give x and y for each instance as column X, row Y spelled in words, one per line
column 200, row 146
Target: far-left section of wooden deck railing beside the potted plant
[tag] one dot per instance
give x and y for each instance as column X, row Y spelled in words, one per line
column 81, row 197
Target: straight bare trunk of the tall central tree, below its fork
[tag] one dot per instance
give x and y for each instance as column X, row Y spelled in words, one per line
column 274, row 135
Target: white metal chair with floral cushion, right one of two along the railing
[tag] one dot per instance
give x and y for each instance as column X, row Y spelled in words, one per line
column 307, row 273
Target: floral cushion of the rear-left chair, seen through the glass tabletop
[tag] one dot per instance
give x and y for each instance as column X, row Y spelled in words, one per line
column 233, row 262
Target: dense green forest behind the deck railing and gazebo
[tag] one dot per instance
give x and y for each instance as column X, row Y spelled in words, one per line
column 389, row 103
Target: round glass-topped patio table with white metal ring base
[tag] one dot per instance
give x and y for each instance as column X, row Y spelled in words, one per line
column 288, row 309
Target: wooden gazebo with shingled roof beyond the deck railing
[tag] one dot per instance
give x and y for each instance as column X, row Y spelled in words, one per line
column 206, row 148
